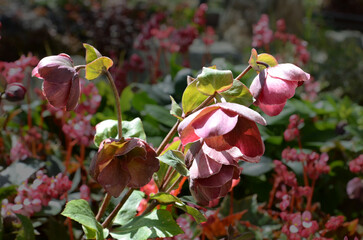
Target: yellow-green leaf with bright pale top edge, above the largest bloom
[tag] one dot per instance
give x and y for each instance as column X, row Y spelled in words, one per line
column 213, row 80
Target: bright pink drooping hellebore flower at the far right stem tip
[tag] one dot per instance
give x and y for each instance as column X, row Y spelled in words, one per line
column 273, row 86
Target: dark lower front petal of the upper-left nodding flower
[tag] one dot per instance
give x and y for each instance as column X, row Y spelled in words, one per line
column 56, row 93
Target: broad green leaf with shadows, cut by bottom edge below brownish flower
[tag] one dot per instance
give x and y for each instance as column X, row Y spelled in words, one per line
column 158, row 223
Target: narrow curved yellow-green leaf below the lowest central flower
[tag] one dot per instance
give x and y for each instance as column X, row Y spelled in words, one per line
column 166, row 198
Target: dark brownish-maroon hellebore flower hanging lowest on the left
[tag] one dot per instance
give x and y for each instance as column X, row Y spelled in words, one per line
column 118, row 164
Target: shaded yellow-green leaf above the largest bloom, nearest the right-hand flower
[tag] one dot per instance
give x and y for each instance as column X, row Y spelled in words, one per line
column 238, row 93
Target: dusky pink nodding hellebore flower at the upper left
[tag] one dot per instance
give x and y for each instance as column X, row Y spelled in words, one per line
column 61, row 85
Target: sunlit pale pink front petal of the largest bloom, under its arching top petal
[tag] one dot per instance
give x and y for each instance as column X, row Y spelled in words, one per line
column 215, row 123
